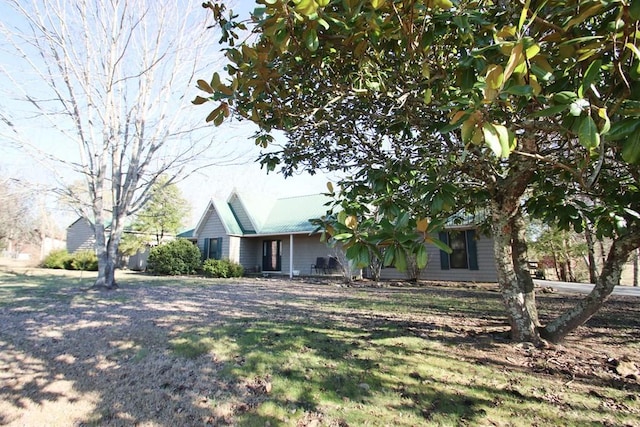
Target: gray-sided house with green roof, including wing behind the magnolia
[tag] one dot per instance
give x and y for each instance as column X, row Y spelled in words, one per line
column 276, row 237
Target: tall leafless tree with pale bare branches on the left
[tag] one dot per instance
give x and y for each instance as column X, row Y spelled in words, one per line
column 98, row 89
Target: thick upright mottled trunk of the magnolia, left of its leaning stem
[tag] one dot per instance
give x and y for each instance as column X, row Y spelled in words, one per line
column 518, row 295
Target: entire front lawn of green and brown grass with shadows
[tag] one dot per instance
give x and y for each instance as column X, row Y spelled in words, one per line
column 189, row 351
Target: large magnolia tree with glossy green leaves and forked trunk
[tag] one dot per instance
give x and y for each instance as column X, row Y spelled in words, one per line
column 440, row 105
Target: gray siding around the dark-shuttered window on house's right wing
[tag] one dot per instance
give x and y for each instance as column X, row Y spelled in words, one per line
column 486, row 272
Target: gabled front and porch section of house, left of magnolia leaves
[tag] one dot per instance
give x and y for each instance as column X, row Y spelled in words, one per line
column 269, row 236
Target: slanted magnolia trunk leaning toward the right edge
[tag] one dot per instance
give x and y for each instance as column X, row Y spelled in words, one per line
column 620, row 250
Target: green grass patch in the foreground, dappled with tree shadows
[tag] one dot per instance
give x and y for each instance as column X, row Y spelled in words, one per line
column 382, row 376
